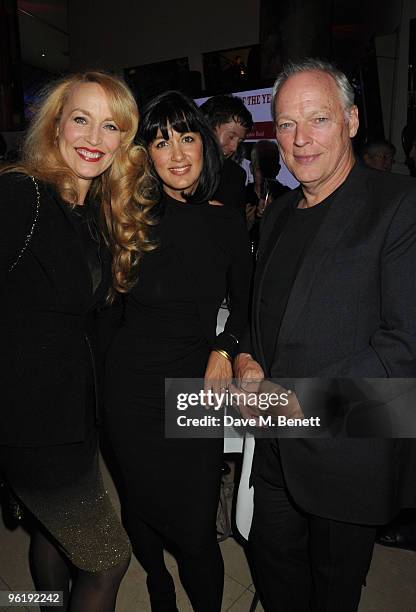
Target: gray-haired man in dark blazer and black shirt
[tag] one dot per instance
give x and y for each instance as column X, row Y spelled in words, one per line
column 334, row 299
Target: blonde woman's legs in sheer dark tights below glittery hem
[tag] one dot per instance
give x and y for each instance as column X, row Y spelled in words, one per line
column 90, row 592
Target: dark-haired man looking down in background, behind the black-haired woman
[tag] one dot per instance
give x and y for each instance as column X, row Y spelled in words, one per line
column 231, row 121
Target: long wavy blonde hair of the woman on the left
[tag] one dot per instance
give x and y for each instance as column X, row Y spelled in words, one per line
column 125, row 190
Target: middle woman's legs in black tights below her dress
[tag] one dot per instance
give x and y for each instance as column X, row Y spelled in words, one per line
column 201, row 569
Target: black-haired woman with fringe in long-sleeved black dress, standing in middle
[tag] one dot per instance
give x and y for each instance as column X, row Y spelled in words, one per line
column 171, row 486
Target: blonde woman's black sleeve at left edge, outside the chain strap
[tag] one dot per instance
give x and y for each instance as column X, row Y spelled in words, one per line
column 18, row 200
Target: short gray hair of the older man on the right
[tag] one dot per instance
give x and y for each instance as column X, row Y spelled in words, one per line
column 346, row 92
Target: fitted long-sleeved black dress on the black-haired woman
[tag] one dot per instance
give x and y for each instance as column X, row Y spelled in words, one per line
column 172, row 485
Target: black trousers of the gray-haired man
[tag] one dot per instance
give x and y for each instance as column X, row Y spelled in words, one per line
column 304, row 563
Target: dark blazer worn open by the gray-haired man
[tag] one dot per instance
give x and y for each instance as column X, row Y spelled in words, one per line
column 351, row 313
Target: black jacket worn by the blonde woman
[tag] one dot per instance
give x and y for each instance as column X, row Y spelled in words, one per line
column 45, row 304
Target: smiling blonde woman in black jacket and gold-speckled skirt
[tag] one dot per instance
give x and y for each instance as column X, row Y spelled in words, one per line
column 78, row 161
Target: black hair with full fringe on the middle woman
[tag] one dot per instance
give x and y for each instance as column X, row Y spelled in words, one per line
column 174, row 110
